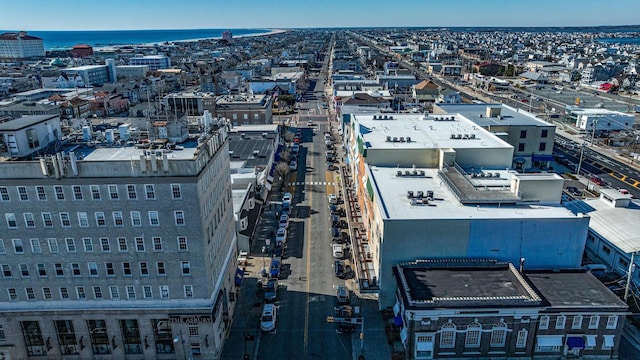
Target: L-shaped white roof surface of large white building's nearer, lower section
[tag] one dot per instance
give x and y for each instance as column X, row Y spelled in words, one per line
column 393, row 195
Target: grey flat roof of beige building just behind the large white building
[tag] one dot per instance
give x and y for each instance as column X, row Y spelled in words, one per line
column 498, row 115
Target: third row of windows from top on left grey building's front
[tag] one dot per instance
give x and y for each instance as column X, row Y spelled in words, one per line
column 104, row 244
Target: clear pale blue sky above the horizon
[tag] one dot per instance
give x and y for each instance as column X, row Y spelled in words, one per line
column 235, row 14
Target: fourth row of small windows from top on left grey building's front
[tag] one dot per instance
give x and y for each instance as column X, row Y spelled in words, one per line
column 92, row 269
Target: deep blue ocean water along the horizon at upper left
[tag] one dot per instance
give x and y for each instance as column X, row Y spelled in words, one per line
column 67, row 39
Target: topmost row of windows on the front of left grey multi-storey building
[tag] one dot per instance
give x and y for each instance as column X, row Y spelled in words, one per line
column 93, row 192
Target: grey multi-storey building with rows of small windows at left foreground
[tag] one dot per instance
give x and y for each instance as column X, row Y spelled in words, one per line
column 119, row 252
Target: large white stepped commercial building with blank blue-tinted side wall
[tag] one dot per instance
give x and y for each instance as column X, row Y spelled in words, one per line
column 436, row 186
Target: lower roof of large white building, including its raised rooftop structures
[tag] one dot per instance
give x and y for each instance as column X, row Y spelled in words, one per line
column 487, row 197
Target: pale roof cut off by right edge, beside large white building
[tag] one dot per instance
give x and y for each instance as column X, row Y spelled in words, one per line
column 618, row 225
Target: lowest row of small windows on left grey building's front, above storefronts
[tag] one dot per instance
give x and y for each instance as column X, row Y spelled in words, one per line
column 130, row 292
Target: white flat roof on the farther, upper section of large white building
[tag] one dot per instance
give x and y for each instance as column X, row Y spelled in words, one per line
column 429, row 133
